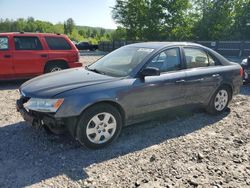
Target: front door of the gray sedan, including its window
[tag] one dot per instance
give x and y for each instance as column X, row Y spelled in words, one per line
column 153, row 93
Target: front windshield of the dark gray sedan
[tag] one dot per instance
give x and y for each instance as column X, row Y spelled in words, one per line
column 121, row 62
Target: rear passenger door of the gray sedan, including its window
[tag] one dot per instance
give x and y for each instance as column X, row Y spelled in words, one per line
column 202, row 74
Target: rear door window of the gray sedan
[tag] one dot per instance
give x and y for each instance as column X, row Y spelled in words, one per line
column 197, row 58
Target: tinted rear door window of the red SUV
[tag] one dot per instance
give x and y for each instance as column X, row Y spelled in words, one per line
column 27, row 43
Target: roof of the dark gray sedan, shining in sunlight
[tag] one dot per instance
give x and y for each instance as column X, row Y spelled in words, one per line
column 159, row 45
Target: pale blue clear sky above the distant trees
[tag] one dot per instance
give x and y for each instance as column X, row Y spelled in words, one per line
column 95, row 13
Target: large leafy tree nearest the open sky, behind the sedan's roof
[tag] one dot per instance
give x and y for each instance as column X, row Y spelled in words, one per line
column 151, row 19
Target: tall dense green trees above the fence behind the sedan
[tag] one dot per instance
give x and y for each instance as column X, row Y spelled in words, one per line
column 182, row 19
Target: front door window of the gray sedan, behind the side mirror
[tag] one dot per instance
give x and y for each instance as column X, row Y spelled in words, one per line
column 168, row 60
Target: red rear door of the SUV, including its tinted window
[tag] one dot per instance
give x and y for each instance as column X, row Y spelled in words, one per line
column 28, row 56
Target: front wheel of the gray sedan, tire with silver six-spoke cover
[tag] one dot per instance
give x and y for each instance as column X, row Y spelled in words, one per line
column 93, row 131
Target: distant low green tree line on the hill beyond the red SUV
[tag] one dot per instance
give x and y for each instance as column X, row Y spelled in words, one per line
column 75, row 33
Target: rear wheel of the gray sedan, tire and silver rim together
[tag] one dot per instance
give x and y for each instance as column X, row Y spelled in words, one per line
column 220, row 100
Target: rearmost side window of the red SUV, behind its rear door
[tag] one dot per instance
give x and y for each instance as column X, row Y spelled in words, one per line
column 57, row 43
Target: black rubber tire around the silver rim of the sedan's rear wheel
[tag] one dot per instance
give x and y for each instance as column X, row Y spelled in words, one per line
column 211, row 108
